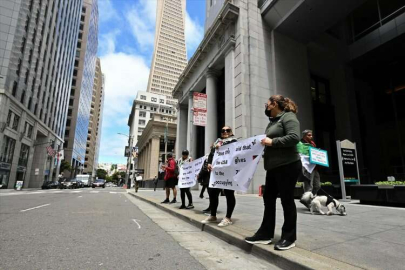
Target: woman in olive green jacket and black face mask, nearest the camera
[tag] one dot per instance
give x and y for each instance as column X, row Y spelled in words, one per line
column 283, row 166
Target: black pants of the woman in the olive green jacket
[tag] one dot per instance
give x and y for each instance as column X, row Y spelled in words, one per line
column 281, row 180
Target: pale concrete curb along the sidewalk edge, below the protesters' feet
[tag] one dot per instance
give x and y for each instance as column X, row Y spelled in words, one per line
column 296, row 258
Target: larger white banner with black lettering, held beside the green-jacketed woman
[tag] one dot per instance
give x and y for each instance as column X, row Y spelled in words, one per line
column 235, row 164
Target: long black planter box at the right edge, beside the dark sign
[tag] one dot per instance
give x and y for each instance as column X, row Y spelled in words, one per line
column 379, row 194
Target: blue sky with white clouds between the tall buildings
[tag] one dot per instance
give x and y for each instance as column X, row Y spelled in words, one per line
column 126, row 38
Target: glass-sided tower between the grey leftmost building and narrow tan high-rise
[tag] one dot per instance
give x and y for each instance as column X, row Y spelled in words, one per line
column 81, row 93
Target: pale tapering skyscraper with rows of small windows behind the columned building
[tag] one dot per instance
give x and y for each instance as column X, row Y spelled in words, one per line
column 169, row 56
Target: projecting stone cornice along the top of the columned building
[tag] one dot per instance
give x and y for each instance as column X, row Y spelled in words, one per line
column 228, row 14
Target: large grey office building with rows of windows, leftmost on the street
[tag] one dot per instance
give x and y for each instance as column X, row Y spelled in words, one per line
column 37, row 51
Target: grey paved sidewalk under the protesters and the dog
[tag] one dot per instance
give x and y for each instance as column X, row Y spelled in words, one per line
column 369, row 237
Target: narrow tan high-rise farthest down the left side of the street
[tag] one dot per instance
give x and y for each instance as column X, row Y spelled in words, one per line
column 96, row 114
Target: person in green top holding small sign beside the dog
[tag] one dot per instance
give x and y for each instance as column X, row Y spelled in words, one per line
column 311, row 181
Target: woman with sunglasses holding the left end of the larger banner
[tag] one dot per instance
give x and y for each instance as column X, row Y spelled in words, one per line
column 227, row 137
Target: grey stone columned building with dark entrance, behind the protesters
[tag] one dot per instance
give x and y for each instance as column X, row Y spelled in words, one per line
column 340, row 69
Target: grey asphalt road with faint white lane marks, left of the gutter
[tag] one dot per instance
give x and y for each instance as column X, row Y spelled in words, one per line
column 83, row 229
